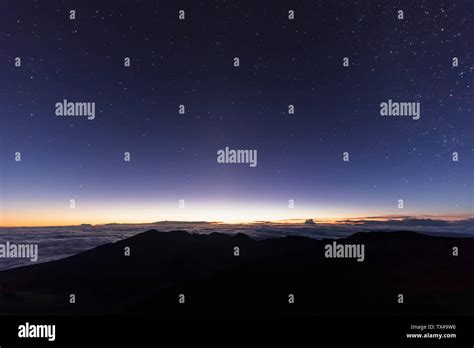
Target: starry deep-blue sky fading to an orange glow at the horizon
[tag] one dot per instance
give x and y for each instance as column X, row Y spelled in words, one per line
column 190, row 62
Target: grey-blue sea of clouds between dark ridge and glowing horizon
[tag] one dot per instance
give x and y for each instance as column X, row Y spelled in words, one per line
column 60, row 242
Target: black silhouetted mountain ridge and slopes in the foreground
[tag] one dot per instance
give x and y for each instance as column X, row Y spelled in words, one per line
column 253, row 285
